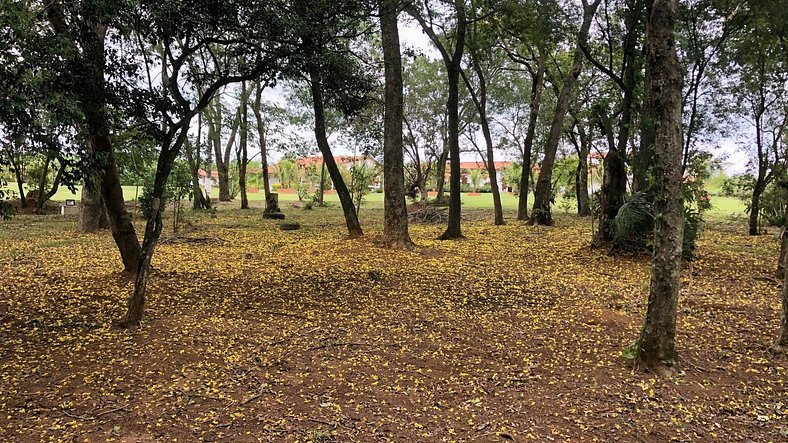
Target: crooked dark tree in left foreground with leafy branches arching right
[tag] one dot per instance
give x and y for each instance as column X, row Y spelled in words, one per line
column 172, row 106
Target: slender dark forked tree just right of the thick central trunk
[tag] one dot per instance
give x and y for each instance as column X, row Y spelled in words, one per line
column 426, row 17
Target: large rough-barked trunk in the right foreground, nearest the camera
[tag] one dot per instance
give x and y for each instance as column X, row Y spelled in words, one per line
column 656, row 344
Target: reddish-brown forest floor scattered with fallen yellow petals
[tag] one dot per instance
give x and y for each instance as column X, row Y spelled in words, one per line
column 515, row 333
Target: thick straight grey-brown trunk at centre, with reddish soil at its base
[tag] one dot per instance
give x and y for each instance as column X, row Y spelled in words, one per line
column 395, row 216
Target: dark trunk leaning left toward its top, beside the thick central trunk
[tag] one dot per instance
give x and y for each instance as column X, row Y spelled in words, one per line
column 348, row 208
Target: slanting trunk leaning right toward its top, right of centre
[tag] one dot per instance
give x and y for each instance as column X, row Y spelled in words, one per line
column 541, row 213
